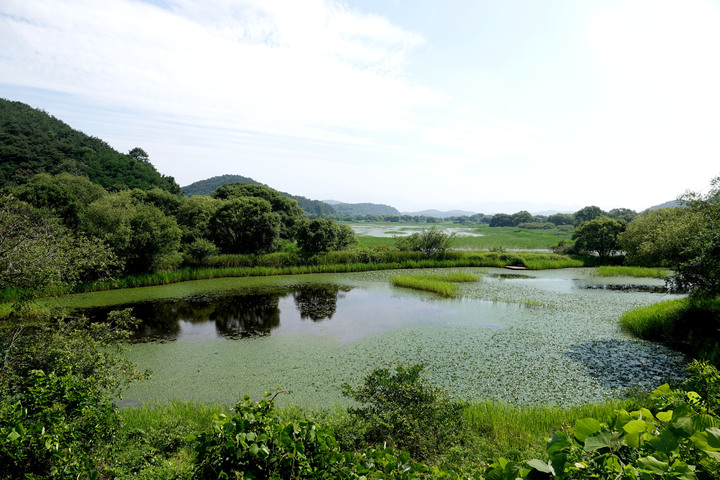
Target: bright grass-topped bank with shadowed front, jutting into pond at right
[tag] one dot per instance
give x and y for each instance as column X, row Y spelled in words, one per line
column 690, row 325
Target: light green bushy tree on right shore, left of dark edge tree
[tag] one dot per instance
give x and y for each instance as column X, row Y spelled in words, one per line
column 659, row 237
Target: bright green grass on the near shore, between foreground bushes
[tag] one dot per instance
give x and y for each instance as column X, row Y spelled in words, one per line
column 153, row 440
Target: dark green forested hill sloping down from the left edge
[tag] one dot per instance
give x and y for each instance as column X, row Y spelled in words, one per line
column 32, row 141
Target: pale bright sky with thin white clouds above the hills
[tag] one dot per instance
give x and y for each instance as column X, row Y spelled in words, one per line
column 479, row 105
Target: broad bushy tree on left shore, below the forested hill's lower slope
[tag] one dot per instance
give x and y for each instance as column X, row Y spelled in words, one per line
column 143, row 237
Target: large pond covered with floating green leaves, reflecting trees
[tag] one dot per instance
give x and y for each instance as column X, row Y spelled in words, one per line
column 540, row 337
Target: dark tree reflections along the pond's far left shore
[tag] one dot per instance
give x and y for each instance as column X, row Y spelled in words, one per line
column 235, row 314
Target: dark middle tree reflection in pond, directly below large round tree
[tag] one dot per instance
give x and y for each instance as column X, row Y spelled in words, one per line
column 246, row 315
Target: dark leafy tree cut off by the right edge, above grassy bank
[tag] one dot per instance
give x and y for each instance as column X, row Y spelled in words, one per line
column 699, row 268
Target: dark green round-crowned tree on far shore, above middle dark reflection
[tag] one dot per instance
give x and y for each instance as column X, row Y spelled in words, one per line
column 245, row 225
